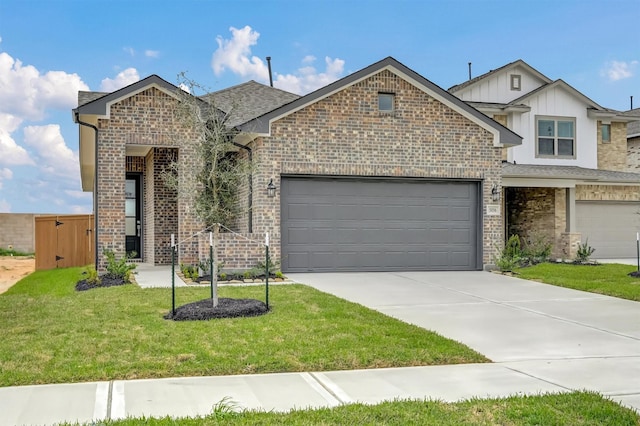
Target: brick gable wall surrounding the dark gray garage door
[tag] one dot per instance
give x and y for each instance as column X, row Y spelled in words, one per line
column 345, row 134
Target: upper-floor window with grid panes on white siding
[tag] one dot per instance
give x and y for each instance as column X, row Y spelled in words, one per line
column 556, row 137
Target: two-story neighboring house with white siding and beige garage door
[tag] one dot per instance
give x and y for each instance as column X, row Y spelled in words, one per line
column 568, row 181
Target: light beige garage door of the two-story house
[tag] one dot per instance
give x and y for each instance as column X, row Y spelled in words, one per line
column 610, row 227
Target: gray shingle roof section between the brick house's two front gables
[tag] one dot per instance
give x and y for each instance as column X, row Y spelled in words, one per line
column 248, row 100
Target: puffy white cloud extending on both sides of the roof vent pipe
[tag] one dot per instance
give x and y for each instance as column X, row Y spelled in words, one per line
column 235, row 55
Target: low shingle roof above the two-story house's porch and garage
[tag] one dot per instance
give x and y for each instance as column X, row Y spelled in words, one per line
column 567, row 172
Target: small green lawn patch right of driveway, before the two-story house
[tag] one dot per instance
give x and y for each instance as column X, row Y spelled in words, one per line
column 610, row 279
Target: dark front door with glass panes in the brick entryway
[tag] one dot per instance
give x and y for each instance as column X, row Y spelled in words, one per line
column 132, row 212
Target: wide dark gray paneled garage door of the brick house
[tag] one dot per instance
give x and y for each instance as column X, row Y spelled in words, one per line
column 379, row 225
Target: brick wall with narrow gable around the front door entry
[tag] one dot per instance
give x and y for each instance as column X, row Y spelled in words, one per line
column 146, row 118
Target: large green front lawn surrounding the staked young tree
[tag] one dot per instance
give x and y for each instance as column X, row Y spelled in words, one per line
column 53, row 334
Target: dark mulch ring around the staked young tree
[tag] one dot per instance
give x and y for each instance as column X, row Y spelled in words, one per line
column 227, row 308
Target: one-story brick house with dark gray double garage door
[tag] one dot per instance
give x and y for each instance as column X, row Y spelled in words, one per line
column 381, row 170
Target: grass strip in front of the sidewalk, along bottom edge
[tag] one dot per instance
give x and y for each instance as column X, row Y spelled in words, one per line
column 572, row 409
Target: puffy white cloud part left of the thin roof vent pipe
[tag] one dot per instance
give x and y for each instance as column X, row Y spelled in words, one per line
column 234, row 55
